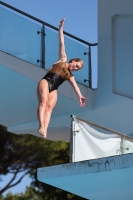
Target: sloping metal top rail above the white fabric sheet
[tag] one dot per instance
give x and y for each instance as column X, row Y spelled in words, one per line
column 104, row 128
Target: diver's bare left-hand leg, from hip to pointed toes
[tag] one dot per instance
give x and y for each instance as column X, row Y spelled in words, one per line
column 43, row 95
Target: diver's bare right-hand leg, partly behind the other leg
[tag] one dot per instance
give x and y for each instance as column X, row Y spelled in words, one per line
column 52, row 99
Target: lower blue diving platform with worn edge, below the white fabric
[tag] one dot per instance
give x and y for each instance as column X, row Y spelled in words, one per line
column 104, row 178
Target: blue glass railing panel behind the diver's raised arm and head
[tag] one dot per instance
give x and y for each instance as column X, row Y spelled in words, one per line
column 73, row 50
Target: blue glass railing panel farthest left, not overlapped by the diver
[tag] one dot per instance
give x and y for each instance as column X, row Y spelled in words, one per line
column 19, row 37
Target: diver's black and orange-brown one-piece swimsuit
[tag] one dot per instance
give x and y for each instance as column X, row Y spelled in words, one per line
column 57, row 75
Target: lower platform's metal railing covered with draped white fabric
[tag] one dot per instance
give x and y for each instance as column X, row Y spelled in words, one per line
column 91, row 141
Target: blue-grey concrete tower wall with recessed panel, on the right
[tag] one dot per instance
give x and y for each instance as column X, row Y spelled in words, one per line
column 113, row 101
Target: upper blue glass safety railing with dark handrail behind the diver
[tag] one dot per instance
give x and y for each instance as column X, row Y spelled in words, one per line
column 36, row 41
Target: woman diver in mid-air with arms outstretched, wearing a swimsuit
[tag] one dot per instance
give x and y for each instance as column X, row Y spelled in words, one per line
column 47, row 87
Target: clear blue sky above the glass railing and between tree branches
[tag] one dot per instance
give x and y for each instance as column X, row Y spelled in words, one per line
column 80, row 21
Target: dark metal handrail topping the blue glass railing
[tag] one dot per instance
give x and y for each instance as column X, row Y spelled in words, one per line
column 44, row 23
